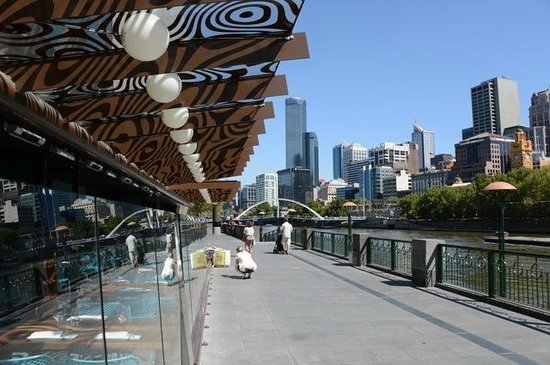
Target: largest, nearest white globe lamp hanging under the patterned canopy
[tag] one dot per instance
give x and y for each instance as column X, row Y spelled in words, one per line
column 145, row 37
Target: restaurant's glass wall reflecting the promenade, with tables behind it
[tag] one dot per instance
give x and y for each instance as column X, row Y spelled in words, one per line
column 85, row 279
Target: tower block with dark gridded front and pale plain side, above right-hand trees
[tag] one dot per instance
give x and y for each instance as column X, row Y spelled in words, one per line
column 495, row 105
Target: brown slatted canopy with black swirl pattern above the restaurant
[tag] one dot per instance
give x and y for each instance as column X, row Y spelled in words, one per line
column 65, row 76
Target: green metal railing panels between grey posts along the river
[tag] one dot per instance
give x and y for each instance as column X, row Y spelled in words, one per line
column 521, row 279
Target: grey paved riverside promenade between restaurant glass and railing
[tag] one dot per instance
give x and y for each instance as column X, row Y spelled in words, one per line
column 310, row 308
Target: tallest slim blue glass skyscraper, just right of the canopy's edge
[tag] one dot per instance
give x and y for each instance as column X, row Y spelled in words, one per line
column 295, row 127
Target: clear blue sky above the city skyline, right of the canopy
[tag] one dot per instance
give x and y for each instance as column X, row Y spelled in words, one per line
column 376, row 66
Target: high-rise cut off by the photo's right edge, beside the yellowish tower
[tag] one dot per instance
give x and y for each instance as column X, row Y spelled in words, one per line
column 539, row 121
